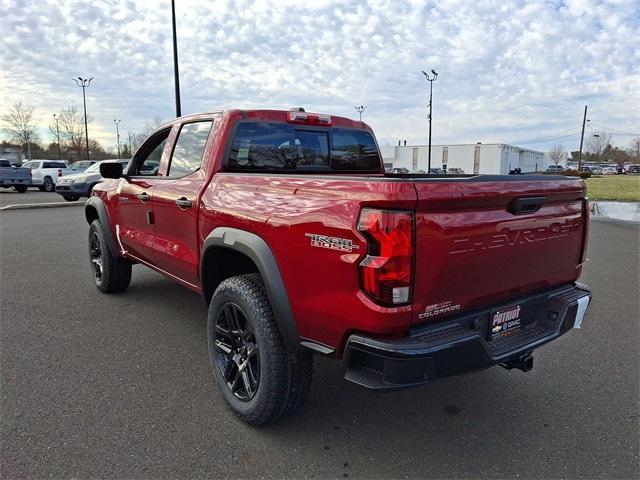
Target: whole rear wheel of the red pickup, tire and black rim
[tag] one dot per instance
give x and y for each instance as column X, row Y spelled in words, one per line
column 257, row 377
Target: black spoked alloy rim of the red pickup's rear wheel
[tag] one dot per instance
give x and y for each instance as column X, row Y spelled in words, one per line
column 237, row 354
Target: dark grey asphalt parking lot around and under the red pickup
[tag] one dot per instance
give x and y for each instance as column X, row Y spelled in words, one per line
column 120, row 386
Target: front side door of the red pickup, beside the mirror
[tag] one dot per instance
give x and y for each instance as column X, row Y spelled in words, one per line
column 135, row 228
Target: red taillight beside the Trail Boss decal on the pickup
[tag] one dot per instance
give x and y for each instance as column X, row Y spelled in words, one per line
column 386, row 272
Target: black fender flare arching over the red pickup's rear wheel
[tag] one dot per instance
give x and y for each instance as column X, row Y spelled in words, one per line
column 259, row 252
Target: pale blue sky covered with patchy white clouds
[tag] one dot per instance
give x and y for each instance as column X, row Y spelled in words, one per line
column 510, row 71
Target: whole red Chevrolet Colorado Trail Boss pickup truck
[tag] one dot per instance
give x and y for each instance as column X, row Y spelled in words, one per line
column 299, row 243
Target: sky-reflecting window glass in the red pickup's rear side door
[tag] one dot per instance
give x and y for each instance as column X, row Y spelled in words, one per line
column 187, row 154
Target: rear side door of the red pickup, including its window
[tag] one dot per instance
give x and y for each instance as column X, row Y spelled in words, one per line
column 175, row 204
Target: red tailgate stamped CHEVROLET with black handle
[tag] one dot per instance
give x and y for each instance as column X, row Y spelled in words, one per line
column 486, row 239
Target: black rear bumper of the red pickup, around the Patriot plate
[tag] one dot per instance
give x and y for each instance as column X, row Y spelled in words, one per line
column 462, row 344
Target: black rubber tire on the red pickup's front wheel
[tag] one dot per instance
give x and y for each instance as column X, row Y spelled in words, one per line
column 115, row 272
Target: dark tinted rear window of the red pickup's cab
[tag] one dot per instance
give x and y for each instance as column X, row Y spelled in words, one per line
column 263, row 146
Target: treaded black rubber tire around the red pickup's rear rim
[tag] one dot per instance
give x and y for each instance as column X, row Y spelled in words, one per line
column 284, row 378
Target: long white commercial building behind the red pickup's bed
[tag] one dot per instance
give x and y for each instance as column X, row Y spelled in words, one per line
column 486, row 158
